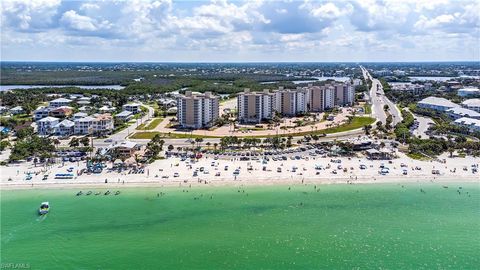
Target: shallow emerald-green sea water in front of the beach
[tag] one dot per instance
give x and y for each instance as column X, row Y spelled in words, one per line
column 339, row 227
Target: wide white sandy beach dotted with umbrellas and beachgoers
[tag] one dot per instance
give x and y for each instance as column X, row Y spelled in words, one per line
column 210, row 172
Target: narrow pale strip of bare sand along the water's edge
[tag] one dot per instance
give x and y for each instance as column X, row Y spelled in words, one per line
column 237, row 183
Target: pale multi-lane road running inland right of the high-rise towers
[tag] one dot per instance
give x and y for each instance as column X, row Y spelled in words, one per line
column 379, row 100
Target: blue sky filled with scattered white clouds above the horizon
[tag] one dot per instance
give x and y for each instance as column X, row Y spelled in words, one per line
column 223, row 31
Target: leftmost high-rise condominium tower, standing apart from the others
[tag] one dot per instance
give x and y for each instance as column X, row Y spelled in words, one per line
column 197, row 110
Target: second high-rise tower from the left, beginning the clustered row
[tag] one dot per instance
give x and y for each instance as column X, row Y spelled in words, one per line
column 253, row 107
